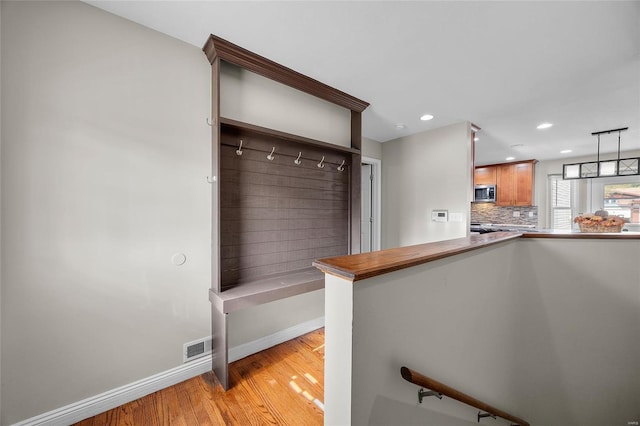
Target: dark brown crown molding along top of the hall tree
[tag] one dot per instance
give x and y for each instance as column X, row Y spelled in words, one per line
column 216, row 47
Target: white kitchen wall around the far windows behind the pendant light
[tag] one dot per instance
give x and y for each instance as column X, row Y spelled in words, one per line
column 585, row 189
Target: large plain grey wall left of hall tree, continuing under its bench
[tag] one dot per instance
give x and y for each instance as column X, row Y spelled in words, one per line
column 105, row 151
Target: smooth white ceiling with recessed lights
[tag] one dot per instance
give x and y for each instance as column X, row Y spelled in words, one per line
column 505, row 66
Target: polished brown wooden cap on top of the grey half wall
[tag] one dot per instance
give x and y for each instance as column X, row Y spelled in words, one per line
column 367, row 265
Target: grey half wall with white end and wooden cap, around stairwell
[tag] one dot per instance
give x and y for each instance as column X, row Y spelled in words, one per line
column 531, row 322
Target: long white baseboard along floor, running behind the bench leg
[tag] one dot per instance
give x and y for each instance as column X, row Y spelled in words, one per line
column 92, row 406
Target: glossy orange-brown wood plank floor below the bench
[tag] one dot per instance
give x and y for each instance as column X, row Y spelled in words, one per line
column 283, row 385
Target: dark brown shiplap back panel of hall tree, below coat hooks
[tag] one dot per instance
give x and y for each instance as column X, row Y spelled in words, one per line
column 277, row 216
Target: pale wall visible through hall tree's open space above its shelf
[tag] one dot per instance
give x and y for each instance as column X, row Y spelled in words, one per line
column 251, row 98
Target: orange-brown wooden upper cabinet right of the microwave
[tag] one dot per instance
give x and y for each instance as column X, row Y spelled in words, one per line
column 514, row 183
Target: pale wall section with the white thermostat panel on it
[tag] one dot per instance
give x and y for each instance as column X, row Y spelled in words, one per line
column 421, row 173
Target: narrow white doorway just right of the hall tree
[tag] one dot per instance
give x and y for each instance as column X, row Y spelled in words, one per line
column 371, row 207
